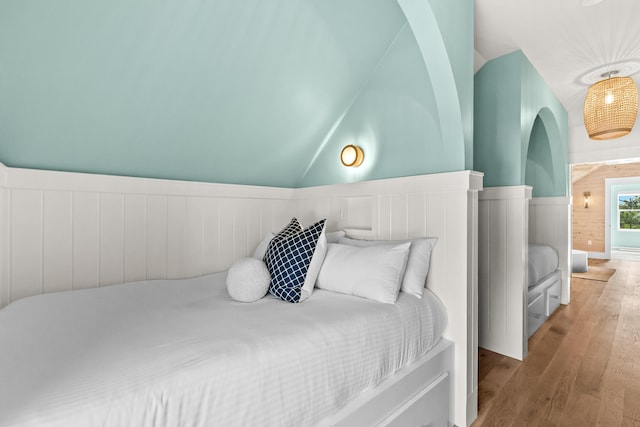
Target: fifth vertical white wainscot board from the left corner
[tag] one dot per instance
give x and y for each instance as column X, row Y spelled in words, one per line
column 135, row 237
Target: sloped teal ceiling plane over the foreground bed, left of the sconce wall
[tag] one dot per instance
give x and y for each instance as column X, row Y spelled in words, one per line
column 220, row 91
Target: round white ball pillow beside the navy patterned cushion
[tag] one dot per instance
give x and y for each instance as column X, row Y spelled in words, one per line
column 248, row 280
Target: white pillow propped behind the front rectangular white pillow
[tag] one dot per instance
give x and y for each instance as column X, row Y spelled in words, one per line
column 417, row 270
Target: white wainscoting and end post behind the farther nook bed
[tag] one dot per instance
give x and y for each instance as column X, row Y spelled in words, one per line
column 550, row 224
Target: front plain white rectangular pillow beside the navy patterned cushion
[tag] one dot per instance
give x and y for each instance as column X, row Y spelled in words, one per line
column 373, row 272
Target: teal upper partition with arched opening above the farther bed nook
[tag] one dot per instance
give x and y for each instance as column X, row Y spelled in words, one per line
column 520, row 128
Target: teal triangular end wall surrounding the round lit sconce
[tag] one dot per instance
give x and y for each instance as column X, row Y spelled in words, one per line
column 408, row 117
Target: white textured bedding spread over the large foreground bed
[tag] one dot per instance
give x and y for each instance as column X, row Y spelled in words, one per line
column 182, row 352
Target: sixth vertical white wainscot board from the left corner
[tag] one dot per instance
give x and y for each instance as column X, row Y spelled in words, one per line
column 157, row 215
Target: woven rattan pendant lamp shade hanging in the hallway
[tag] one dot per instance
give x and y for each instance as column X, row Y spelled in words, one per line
column 610, row 108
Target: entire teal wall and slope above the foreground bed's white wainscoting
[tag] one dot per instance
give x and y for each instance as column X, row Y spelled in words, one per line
column 249, row 92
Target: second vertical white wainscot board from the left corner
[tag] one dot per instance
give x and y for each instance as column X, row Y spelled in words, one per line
column 57, row 241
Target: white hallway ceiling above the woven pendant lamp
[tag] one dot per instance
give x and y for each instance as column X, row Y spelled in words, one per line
column 564, row 40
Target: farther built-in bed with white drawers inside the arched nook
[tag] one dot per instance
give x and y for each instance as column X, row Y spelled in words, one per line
column 545, row 285
